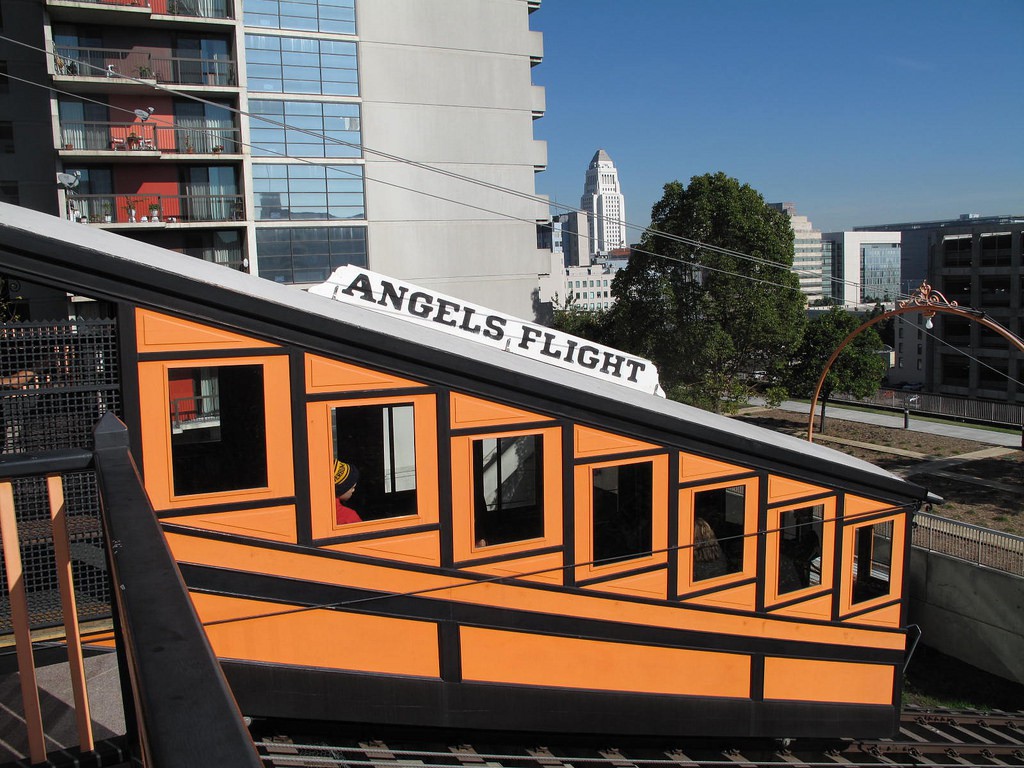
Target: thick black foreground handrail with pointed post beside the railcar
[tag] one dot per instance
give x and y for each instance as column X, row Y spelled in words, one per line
column 185, row 711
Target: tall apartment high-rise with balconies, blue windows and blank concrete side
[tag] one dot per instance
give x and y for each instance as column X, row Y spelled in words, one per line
column 288, row 139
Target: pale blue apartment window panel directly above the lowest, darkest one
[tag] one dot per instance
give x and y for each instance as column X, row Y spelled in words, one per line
column 304, row 192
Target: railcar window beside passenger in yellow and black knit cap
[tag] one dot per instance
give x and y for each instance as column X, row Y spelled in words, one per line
column 379, row 442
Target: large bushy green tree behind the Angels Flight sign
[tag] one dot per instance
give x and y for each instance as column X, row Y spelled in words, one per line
column 709, row 319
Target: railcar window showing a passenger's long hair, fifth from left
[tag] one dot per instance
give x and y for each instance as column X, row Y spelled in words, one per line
column 719, row 516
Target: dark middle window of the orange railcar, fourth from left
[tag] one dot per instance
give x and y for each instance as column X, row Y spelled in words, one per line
column 623, row 511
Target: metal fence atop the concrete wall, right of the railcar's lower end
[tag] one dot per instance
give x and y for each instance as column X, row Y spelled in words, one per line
column 974, row 544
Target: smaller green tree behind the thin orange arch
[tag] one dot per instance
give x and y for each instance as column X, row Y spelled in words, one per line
column 859, row 371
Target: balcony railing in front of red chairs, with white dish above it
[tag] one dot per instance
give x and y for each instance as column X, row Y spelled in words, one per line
column 100, row 137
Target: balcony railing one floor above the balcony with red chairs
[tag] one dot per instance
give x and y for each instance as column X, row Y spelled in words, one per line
column 117, row 64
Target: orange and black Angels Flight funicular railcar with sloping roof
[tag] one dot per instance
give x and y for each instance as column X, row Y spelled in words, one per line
column 533, row 549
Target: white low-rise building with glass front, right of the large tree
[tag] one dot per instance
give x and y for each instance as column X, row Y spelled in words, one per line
column 864, row 267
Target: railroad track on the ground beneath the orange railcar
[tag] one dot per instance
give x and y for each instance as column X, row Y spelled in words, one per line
column 926, row 738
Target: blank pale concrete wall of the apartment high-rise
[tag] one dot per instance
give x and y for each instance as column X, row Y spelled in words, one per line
column 448, row 84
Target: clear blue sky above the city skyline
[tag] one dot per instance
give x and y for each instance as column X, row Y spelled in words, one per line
column 861, row 112
